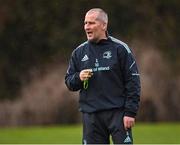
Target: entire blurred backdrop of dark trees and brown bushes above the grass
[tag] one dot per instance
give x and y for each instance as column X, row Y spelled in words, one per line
column 38, row 36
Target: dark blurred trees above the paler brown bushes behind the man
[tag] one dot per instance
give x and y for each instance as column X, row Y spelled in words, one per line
column 34, row 33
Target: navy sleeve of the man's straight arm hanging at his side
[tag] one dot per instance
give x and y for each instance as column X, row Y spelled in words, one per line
column 131, row 82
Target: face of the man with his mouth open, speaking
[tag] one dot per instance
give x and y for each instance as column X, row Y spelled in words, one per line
column 94, row 28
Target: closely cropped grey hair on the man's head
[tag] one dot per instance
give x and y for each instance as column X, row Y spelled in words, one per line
column 102, row 15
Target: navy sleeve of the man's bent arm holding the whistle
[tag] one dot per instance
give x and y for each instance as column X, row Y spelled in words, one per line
column 72, row 79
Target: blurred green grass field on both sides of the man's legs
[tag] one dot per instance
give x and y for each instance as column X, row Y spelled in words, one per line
column 162, row 133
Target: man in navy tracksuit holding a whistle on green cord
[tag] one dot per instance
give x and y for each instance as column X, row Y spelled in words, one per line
column 104, row 70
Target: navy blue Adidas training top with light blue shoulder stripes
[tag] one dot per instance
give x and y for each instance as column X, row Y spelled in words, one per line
column 115, row 82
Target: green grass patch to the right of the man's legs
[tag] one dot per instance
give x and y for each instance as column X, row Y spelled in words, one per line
column 161, row 133
